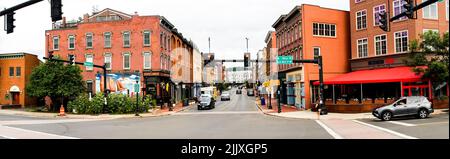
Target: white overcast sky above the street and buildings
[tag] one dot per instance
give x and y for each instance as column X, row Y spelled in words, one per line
column 227, row 22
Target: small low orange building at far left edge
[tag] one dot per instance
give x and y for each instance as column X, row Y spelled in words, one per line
column 15, row 69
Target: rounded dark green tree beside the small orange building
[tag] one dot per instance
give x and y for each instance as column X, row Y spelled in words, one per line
column 56, row 80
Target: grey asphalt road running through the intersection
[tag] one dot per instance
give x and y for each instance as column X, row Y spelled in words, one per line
column 235, row 119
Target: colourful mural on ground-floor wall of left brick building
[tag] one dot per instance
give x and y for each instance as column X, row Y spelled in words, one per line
column 118, row 83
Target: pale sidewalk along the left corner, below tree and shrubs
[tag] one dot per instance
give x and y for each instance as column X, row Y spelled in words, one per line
column 163, row 112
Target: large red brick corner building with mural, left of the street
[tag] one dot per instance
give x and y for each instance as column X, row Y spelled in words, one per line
column 147, row 49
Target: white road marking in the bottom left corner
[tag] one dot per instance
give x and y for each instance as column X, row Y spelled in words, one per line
column 13, row 133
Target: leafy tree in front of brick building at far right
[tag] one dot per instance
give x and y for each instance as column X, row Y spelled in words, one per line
column 432, row 51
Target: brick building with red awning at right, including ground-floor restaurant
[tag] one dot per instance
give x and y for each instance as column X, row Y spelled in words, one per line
column 379, row 74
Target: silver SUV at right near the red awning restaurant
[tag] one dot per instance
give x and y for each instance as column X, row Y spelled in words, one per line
column 405, row 106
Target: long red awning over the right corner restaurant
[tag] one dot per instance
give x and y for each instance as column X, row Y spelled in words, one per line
column 384, row 75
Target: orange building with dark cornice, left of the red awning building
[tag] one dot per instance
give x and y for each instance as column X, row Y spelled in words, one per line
column 305, row 33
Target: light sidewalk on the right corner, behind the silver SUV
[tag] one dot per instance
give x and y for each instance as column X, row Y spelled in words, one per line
column 308, row 114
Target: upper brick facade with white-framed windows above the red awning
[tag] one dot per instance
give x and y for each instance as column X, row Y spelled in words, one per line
column 374, row 48
